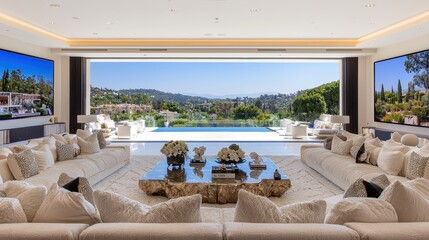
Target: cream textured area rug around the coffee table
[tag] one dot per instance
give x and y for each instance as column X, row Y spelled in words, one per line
column 306, row 185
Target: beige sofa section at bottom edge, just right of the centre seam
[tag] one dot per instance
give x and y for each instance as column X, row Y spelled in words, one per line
column 309, row 231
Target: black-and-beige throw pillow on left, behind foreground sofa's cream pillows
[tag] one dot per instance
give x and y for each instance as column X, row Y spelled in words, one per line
column 79, row 184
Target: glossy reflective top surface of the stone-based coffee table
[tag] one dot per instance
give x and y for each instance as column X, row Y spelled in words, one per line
column 202, row 173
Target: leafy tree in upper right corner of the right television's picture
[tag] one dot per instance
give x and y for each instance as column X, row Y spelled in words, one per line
column 418, row 63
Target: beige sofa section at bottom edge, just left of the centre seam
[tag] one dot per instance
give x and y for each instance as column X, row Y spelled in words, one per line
column 164, row 231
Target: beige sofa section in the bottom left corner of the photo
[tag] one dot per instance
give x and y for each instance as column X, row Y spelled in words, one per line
column 41, row 231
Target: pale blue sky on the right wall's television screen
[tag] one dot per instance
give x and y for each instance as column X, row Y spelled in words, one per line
column 389, row 71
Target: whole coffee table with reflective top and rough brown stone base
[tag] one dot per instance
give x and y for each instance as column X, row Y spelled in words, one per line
column 189, row 180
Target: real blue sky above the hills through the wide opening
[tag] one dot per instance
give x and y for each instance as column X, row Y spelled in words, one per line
column 214, row 78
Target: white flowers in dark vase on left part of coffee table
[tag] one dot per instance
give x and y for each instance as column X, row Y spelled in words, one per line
column 175, row 151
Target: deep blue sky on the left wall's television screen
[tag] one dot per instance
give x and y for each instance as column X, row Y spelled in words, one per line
column 29, row 66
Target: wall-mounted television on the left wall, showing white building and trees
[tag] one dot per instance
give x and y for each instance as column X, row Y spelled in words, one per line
column 26, row 85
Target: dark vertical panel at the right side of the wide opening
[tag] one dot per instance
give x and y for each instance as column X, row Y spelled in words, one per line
column 349, row 92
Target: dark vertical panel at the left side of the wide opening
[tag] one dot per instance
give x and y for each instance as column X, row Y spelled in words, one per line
column 77, row 91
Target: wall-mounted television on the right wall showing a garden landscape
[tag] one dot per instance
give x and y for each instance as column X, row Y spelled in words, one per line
column 401, row 94
